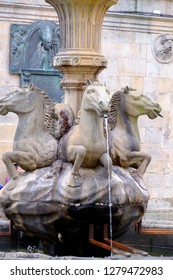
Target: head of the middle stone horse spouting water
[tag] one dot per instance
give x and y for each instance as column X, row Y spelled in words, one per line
column 97, row 98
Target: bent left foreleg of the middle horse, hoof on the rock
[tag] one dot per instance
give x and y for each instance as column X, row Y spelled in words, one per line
column 76, row 154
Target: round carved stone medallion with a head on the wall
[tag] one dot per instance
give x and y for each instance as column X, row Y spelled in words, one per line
column 163, row 48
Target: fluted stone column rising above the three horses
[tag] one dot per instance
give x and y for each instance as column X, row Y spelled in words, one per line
column 80, row 56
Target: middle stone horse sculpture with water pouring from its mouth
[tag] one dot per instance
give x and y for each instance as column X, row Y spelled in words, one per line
column 85, row 144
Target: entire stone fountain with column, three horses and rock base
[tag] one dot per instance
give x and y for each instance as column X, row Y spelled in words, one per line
column 67, row 187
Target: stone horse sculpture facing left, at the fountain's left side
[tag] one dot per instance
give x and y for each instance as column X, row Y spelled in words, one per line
column 41, row 124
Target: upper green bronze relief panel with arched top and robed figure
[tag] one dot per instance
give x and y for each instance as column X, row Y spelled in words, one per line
column 33, row 46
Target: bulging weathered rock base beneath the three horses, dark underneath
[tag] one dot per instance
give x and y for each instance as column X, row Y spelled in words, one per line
column 42, row 204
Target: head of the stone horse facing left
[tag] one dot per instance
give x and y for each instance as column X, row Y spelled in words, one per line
column 22, row 100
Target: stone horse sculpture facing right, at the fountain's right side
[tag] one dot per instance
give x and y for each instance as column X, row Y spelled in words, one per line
column 126, row 106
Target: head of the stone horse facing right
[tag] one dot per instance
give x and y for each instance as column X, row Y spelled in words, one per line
column 136, row 103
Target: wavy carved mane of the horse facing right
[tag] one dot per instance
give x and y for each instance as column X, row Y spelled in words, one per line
column 114, row 105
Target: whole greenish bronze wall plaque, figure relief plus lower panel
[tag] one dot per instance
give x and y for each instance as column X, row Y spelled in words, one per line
column 32, row 49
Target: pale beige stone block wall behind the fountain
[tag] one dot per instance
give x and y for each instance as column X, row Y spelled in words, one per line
column 129, row 31
